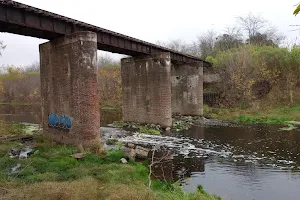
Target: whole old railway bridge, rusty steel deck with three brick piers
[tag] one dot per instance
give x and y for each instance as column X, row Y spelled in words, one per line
column 156, row 81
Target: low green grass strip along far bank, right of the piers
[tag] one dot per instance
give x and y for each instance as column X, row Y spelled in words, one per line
column 268, row 115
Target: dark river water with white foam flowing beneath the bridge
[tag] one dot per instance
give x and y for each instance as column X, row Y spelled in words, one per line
column 230, row 160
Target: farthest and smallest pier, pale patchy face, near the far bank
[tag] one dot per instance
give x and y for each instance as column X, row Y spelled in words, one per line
column 187, row 89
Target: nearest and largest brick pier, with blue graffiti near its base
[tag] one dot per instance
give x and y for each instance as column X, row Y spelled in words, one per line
column 70, row 104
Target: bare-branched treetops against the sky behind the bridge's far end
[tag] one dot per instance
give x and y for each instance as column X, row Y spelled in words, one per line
column 251, row 29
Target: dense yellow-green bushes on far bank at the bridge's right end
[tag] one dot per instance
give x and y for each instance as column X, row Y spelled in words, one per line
column 264, row 75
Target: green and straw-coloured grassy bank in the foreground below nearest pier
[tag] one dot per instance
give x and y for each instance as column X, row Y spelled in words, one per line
column 51, row 173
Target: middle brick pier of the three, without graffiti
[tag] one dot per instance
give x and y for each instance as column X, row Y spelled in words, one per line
column 146, row 85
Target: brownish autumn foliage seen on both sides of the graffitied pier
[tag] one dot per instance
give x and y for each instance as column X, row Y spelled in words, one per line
column 20, row 85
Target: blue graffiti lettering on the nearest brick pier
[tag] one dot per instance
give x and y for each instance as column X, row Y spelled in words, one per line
column 62, row 122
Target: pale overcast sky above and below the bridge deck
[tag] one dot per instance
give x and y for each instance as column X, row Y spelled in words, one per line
column 152, row 20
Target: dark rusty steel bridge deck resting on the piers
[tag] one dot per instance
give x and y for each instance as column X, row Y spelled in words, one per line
column 25, row 20
